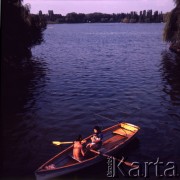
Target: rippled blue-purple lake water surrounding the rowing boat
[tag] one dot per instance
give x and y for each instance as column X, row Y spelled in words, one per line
column 83, row 69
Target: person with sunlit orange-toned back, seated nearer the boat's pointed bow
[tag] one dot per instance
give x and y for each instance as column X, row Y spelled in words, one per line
column 78, row 152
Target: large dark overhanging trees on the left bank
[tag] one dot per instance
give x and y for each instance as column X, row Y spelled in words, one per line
column 20, row 31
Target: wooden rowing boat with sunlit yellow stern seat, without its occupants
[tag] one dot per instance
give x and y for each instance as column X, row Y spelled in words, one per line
column 114, row 138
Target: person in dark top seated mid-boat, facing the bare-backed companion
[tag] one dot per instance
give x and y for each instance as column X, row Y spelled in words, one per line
column 96, row 139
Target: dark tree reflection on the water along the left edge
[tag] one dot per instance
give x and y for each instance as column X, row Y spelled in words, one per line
column 20, row 91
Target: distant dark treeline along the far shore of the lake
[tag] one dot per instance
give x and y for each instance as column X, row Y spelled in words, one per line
column 133, row 17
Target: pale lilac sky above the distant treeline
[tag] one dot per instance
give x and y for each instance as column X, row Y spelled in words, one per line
column 105, row 6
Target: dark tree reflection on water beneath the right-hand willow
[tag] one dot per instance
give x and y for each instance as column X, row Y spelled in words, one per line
column 171, row 76
